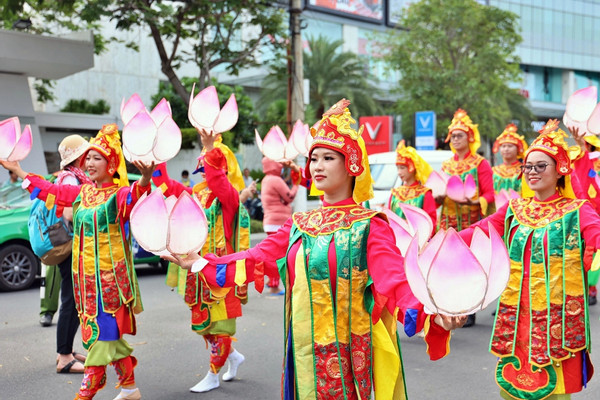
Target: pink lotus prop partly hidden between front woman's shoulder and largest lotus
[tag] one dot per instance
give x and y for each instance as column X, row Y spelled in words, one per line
column 416, row 223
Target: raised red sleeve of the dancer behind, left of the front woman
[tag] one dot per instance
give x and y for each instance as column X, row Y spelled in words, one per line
column 215, row 168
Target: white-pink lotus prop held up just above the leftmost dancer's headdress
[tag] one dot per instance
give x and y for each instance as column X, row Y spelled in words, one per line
column 149, row 136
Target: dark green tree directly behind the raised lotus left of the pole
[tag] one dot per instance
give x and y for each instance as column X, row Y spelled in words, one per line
column 242, row 132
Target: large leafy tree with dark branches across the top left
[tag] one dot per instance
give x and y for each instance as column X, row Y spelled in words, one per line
column 209, row 33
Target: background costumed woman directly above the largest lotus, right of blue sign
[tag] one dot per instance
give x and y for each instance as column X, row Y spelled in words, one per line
column 463, row 135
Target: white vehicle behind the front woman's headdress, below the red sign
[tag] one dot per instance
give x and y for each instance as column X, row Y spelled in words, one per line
column 385, row 172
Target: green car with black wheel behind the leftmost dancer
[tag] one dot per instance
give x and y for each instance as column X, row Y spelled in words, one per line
column 19, row 266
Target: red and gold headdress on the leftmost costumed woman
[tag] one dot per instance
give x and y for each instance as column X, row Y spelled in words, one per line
column 108, row 143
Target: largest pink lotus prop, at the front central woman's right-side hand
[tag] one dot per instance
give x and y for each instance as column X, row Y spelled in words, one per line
column 451, row 278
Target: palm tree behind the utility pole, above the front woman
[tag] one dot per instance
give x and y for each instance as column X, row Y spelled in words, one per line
column 332, row 74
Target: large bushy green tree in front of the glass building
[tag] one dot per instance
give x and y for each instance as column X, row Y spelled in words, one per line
column 458, row 54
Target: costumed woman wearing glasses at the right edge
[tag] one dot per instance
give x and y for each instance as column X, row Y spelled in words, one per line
column 541, row 332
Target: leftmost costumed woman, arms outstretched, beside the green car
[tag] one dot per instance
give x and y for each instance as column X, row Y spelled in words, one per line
column 104, row 281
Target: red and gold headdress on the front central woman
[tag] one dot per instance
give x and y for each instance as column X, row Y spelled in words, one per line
column 333, row 131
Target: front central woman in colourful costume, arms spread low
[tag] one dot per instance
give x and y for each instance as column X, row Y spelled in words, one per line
column 344, row 280
